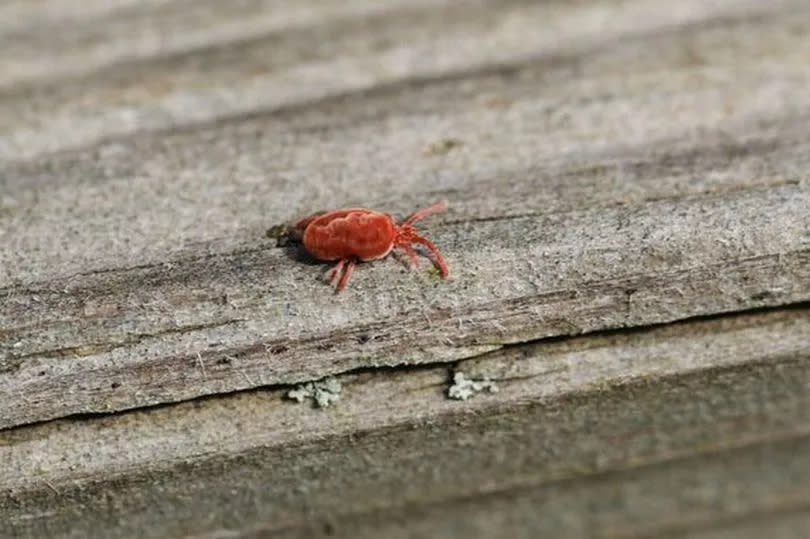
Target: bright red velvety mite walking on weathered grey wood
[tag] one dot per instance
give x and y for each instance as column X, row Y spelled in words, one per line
column 358, row 234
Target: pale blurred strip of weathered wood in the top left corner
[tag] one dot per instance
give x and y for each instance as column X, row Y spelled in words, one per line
column 48, row 39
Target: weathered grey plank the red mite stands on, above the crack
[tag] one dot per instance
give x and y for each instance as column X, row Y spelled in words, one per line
column 135, row 273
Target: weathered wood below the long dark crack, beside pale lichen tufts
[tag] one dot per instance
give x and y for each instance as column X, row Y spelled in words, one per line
column 619, row 434
